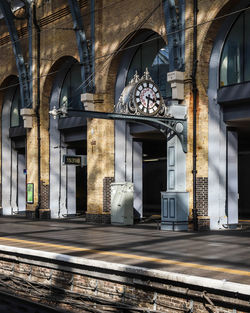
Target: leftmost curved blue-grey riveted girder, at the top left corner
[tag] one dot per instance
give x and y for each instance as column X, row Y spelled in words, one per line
column 22, row 72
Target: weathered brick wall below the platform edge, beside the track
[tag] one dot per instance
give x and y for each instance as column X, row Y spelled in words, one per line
column 72, row 287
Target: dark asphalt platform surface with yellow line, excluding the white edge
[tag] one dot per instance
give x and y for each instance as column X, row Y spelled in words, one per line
column 222, row 255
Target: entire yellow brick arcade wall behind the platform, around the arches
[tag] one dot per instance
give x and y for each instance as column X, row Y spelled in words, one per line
column 114, row 25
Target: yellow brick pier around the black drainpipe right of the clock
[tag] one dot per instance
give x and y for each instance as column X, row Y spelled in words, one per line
column 208, row 10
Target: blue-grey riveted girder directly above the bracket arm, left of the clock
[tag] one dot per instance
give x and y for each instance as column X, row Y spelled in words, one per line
column 83, row 48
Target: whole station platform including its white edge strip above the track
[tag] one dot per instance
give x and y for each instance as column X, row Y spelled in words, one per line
column 206, row 261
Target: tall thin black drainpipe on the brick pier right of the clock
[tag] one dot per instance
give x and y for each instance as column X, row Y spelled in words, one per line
column 195, row 92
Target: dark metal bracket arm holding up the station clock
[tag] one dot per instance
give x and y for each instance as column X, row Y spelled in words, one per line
column 168, row 126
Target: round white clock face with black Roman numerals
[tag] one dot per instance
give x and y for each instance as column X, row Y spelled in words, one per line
column 147, row 97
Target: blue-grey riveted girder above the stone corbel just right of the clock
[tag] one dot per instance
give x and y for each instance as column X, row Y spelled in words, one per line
column 174, row 11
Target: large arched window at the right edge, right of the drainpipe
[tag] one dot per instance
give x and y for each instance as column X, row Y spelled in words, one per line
column 235, row 63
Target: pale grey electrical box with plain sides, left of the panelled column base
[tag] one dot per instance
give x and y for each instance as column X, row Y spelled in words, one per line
column 122, row 195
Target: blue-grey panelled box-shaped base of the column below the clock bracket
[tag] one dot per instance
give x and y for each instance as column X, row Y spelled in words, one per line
column 174, row 210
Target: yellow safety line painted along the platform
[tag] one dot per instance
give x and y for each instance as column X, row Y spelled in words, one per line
column 132, row 256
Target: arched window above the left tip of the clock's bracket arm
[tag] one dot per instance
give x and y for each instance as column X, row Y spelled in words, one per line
column 71, row 88
